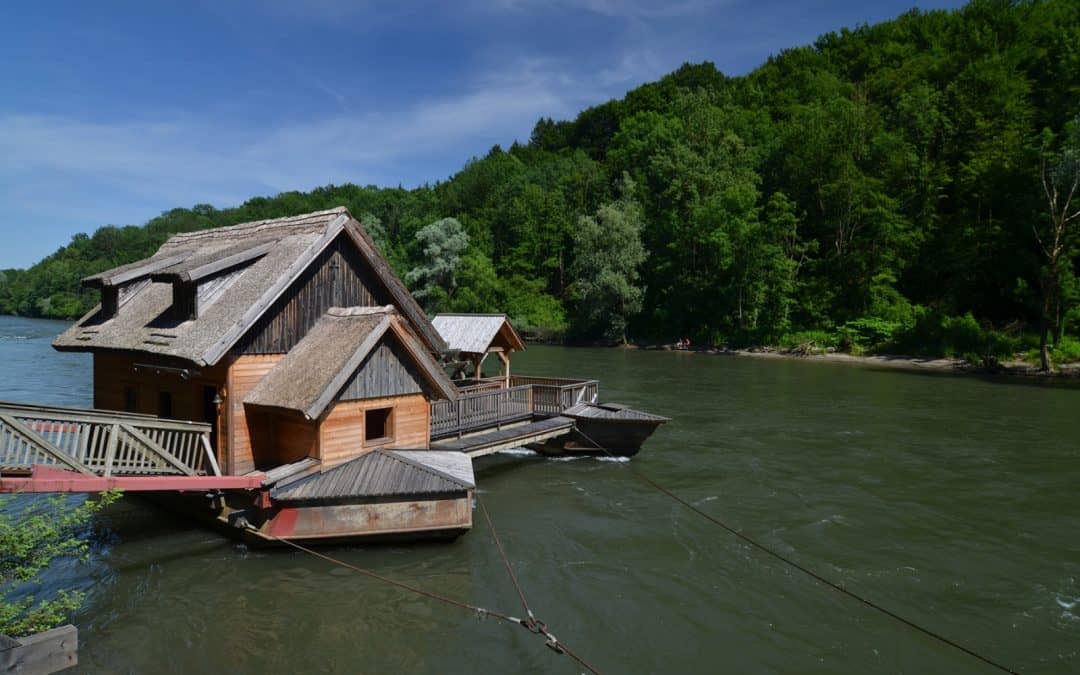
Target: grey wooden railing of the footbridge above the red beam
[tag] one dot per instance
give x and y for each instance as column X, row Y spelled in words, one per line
column 103, row 443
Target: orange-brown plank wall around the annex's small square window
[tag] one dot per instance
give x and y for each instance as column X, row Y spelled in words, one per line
column 342, row 433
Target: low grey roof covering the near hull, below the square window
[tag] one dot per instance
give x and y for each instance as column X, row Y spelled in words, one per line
column 384, row 474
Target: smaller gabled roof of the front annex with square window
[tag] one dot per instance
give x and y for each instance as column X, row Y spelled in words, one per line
column 312, row 376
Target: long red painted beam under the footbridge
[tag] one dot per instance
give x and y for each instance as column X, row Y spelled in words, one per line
column 45, row 479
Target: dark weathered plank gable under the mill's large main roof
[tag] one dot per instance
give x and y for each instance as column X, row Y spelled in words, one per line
column 339, row 278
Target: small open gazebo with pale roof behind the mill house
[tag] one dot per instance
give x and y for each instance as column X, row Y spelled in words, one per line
column 476, row 336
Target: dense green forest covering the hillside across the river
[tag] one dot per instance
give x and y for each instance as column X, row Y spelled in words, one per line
column 902, row 186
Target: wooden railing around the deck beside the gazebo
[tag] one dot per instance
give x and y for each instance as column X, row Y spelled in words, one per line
column 488, row 408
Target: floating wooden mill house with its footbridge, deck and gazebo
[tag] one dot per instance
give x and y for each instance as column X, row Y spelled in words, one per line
column 281, row 369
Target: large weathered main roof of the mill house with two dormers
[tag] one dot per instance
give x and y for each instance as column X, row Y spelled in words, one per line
column 245, row 269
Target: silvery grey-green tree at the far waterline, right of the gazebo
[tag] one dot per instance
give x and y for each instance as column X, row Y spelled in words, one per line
column 609, row 254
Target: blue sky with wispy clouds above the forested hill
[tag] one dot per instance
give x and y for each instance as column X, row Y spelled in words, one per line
column 112, row 113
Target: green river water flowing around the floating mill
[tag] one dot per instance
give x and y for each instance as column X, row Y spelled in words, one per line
column 951, row 501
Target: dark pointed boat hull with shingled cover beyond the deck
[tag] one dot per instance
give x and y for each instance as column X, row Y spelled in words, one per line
column 616, row 428
